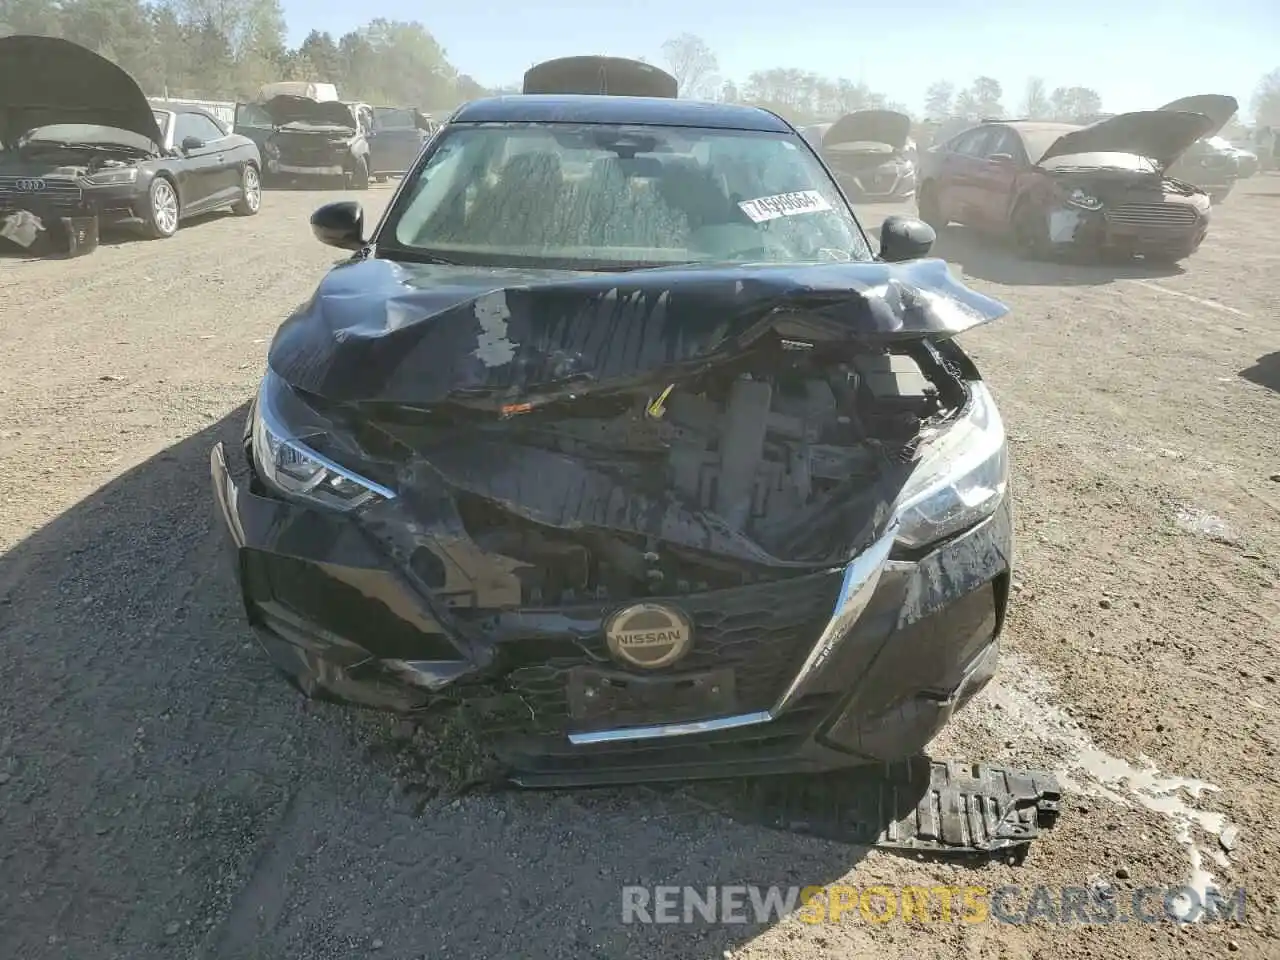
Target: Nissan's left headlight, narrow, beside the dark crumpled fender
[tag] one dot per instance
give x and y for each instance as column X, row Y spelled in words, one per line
column 282, row 424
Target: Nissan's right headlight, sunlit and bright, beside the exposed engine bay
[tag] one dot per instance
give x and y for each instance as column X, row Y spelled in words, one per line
column 961, row 478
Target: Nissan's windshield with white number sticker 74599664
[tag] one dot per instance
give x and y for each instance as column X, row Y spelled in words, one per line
column 596, row 195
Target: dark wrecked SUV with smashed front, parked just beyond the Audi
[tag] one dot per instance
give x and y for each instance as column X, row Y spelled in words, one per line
column 314, row 139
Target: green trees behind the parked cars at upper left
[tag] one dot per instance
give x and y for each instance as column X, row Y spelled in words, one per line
column 227, row 49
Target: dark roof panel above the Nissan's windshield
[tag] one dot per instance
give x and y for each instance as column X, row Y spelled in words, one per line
column 591, row 108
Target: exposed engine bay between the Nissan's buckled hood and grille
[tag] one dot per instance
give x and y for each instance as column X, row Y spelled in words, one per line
column 792, row 455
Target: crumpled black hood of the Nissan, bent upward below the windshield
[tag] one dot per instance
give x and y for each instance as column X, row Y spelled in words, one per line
column 378, row 331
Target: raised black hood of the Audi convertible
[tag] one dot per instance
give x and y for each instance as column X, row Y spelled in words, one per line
column 45, row 81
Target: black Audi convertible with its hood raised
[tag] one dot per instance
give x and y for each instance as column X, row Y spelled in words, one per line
column 81, row 149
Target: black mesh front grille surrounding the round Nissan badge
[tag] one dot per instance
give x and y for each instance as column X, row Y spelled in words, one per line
column 764, row 633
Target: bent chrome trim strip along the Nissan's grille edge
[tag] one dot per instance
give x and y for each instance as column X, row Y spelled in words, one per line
column 862, row 578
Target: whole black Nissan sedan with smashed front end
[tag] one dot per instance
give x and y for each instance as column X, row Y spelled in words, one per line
column 616, row 433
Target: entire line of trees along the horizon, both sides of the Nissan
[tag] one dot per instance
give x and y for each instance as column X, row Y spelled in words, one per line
column 227, row 49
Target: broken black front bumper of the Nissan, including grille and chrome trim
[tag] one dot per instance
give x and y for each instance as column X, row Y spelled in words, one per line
column 815, row 673
